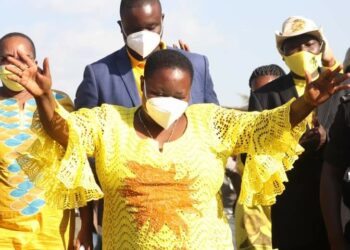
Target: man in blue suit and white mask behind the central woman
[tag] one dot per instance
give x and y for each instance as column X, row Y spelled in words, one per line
column 115, row 79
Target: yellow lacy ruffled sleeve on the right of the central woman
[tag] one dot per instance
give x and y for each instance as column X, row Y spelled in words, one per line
column 271, row 145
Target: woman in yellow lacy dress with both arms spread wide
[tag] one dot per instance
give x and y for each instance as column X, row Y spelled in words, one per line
column 161, row 165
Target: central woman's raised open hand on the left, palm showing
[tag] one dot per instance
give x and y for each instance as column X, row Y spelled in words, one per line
column 26, row 72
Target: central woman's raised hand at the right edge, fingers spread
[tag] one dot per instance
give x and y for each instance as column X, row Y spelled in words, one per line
column 328, row 83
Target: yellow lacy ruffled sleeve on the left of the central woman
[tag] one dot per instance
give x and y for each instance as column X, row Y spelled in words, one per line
column 65, row 174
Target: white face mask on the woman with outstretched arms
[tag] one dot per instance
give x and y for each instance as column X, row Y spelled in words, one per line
column 165, row 110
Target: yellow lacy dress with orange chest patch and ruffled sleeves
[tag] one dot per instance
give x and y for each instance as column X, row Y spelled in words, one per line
column 168, row 199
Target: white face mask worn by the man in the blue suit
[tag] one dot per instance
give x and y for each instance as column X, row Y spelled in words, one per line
column 143, row 42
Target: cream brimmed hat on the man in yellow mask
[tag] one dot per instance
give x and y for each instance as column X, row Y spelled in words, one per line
column 296, row 26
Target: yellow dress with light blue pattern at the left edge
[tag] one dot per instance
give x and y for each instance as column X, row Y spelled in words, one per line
column 26, row 222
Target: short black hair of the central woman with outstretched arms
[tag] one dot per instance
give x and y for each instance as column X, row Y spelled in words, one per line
column 167, row 58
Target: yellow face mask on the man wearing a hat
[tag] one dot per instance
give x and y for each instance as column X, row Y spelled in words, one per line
column 303, row 61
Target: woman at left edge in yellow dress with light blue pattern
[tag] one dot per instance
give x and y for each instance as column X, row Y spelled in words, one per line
column 26, row 222
